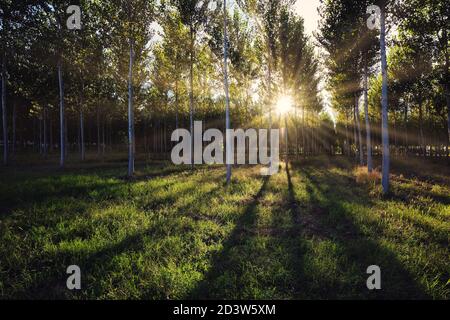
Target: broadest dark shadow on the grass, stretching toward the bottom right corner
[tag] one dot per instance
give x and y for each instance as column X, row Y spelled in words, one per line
column 359, row 249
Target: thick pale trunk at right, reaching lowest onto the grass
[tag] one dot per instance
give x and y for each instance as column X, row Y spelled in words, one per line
column 384, row 105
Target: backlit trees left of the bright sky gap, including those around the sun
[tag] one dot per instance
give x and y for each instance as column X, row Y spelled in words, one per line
column 167, row 61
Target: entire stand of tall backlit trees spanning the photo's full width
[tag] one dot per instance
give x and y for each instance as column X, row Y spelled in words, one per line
column 139, row 69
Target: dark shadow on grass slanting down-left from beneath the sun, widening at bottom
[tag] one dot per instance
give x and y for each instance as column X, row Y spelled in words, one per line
column 216, row 282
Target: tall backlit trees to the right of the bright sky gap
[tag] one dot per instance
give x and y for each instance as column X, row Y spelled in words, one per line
column 416, row 81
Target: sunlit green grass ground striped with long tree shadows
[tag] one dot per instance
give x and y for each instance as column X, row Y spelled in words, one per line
column 309, row 232
